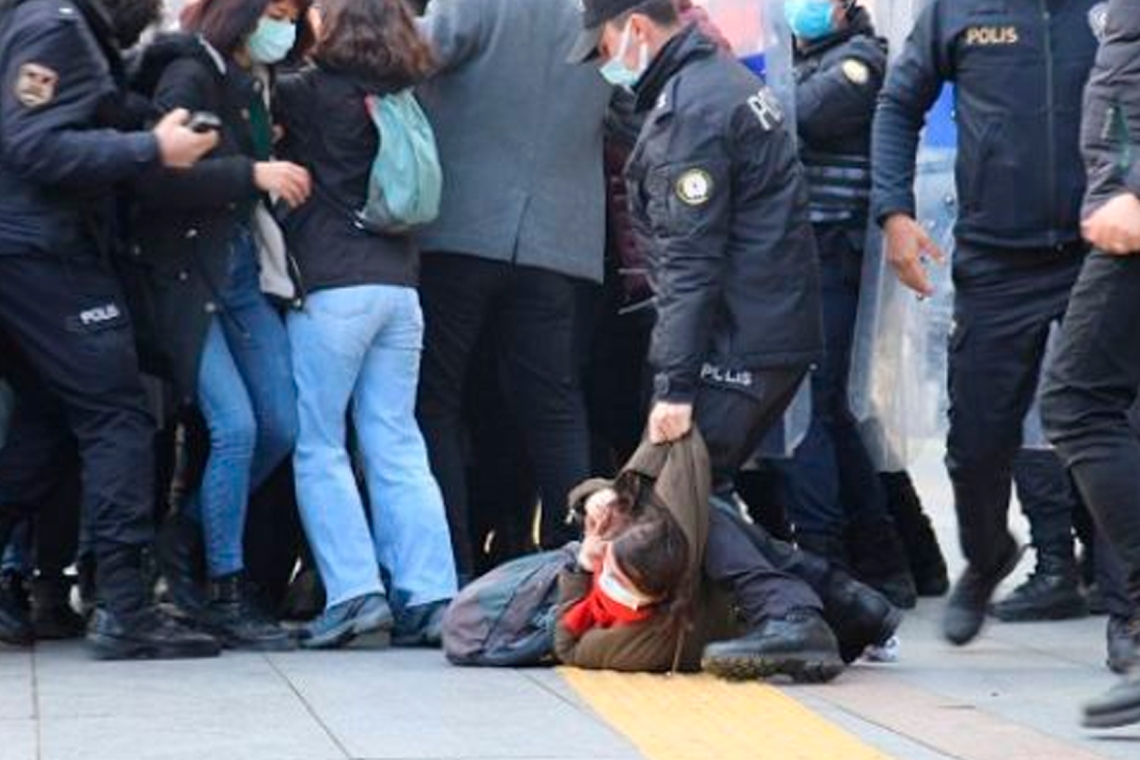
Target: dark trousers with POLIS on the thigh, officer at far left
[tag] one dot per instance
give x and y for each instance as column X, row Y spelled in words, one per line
column 69, row 321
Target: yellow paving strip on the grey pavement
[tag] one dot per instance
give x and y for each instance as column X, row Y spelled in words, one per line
column 703, row 718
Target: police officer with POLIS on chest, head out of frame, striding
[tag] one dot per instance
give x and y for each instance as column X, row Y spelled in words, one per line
column 1019, row 69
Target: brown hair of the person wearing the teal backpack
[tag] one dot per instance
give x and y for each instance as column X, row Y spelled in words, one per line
column 374, row 40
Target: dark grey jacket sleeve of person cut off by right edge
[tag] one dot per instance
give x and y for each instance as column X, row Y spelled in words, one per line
column 1111, row 132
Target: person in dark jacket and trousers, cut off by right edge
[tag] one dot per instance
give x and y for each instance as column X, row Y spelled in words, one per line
column 1092, row 387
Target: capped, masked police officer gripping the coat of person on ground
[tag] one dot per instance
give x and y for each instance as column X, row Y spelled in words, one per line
column 719, row 197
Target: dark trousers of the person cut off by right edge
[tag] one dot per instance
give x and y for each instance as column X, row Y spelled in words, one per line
column 1090, row 391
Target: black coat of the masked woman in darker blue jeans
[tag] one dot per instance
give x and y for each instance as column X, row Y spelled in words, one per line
column 185, row 222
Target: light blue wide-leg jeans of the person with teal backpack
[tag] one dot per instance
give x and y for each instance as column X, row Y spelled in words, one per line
column 360, row 347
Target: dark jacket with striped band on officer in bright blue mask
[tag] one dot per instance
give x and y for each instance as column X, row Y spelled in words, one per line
column 838, row 80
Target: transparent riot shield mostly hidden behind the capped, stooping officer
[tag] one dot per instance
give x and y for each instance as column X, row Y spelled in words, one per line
column 762, row 40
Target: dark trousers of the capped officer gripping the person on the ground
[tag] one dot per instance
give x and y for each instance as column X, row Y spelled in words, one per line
column 734, row 423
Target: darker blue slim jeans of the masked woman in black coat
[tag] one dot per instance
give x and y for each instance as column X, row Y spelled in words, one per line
column 246, row 393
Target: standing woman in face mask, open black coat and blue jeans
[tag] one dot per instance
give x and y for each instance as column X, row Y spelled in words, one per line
column 224, row 345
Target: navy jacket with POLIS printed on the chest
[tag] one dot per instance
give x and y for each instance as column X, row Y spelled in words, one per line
column 1020, row 68
